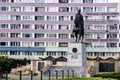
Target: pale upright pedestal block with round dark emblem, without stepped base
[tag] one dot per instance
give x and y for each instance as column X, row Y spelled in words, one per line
column 76, row 55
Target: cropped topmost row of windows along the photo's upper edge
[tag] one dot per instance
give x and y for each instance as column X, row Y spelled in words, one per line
column 55, row 1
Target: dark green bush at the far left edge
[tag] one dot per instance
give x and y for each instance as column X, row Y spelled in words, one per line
column 5, row 64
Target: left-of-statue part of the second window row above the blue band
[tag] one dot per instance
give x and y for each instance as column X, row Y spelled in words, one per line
column 36, row 35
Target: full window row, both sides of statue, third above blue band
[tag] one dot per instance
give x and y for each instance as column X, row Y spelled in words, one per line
column 40, row 26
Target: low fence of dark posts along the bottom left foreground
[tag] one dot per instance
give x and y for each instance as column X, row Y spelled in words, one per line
column 41, row 76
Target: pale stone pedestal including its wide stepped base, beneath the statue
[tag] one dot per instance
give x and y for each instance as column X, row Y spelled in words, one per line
column 76, row 62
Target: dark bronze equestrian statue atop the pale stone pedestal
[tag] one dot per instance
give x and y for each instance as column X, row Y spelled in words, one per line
column 78, row 30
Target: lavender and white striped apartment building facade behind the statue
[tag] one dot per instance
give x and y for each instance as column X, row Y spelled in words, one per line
column 40, row 28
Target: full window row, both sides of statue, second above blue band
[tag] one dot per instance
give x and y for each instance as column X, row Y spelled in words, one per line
column 43, row 35
